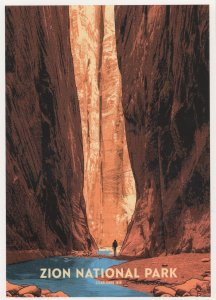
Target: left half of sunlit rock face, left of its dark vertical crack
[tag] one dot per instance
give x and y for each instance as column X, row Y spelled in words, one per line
column 85, row 45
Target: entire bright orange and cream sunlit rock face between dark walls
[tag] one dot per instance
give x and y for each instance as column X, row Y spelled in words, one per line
column 108, row 181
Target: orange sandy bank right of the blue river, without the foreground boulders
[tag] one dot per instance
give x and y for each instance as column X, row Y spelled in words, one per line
column 188, row 266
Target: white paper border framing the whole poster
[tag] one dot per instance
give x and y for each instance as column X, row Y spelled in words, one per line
column 212, row 4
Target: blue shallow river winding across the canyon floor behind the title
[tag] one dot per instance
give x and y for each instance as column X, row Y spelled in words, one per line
column 29, row 273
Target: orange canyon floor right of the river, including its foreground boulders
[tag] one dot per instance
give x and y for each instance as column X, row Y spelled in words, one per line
column 193, row 275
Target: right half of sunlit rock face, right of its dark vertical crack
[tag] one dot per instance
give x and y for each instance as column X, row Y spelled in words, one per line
column 118, row 197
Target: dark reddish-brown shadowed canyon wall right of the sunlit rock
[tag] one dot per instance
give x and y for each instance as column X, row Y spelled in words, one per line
column 163, row 56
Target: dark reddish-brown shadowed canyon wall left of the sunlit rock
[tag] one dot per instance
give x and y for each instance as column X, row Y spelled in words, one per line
column 45, row 203
